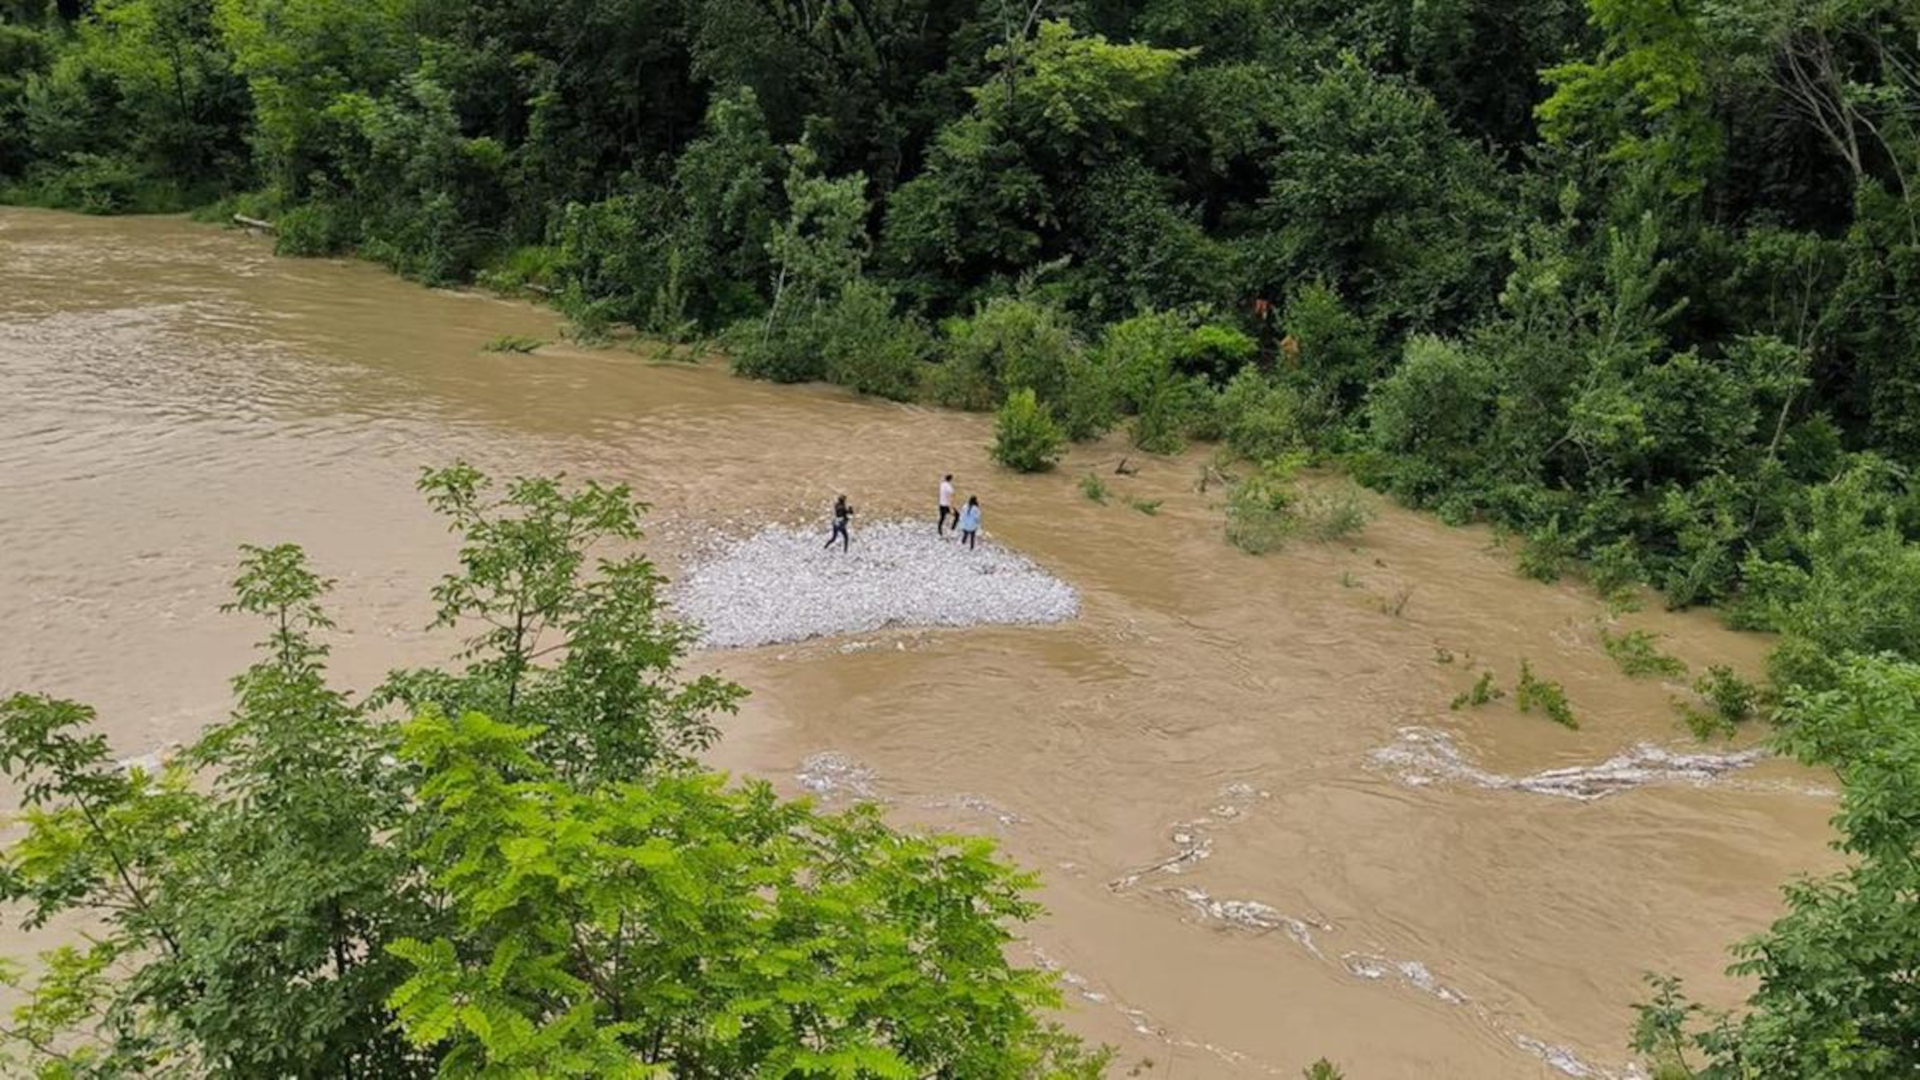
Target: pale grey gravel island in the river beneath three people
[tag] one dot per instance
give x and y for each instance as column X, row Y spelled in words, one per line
column 780, row 585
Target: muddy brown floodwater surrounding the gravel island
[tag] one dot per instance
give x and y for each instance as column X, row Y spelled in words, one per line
column 1264, row 835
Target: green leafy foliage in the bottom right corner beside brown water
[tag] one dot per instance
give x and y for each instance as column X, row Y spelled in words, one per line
column 1833, row 977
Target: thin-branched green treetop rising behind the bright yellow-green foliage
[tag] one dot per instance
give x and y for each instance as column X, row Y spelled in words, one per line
column 533, row 587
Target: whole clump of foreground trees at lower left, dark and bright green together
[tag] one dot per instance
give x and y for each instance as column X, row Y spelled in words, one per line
column 314, row 891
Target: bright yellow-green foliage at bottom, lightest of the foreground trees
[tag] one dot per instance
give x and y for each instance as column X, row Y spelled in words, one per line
column 684, row 929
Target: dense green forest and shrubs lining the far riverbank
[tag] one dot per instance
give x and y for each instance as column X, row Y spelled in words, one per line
column 1635, row 280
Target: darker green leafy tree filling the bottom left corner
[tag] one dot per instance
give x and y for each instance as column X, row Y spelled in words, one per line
column 243, row 914
